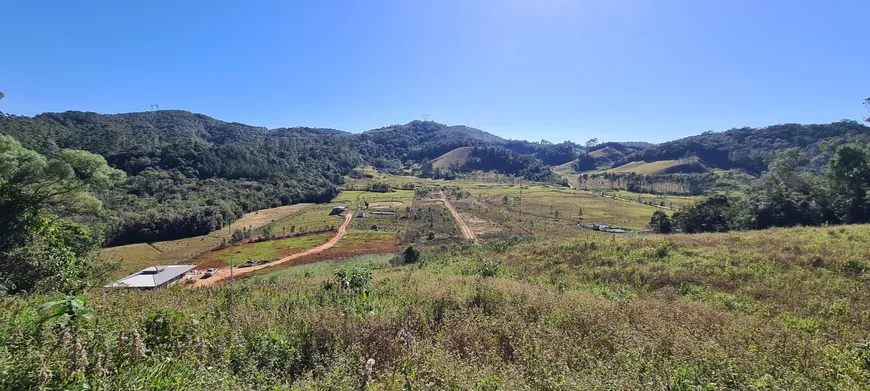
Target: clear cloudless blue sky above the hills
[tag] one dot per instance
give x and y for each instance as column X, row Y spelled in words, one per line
column 529, row 69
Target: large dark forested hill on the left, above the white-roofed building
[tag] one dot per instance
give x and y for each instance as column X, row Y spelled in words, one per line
column 188, row 173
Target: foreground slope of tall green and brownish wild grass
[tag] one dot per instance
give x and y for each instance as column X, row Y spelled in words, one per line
column 782, row 309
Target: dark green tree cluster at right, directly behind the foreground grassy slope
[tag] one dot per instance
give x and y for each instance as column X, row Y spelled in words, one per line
column 784, row 196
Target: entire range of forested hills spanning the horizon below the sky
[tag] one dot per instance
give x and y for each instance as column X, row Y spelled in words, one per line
column 189, row 173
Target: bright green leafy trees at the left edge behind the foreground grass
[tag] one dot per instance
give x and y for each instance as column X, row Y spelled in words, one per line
column 41, row 248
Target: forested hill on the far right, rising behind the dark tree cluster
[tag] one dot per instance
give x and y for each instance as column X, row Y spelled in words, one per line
column 753, row 149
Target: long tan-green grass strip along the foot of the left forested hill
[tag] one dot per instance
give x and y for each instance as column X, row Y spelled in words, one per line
column 138, row 256
